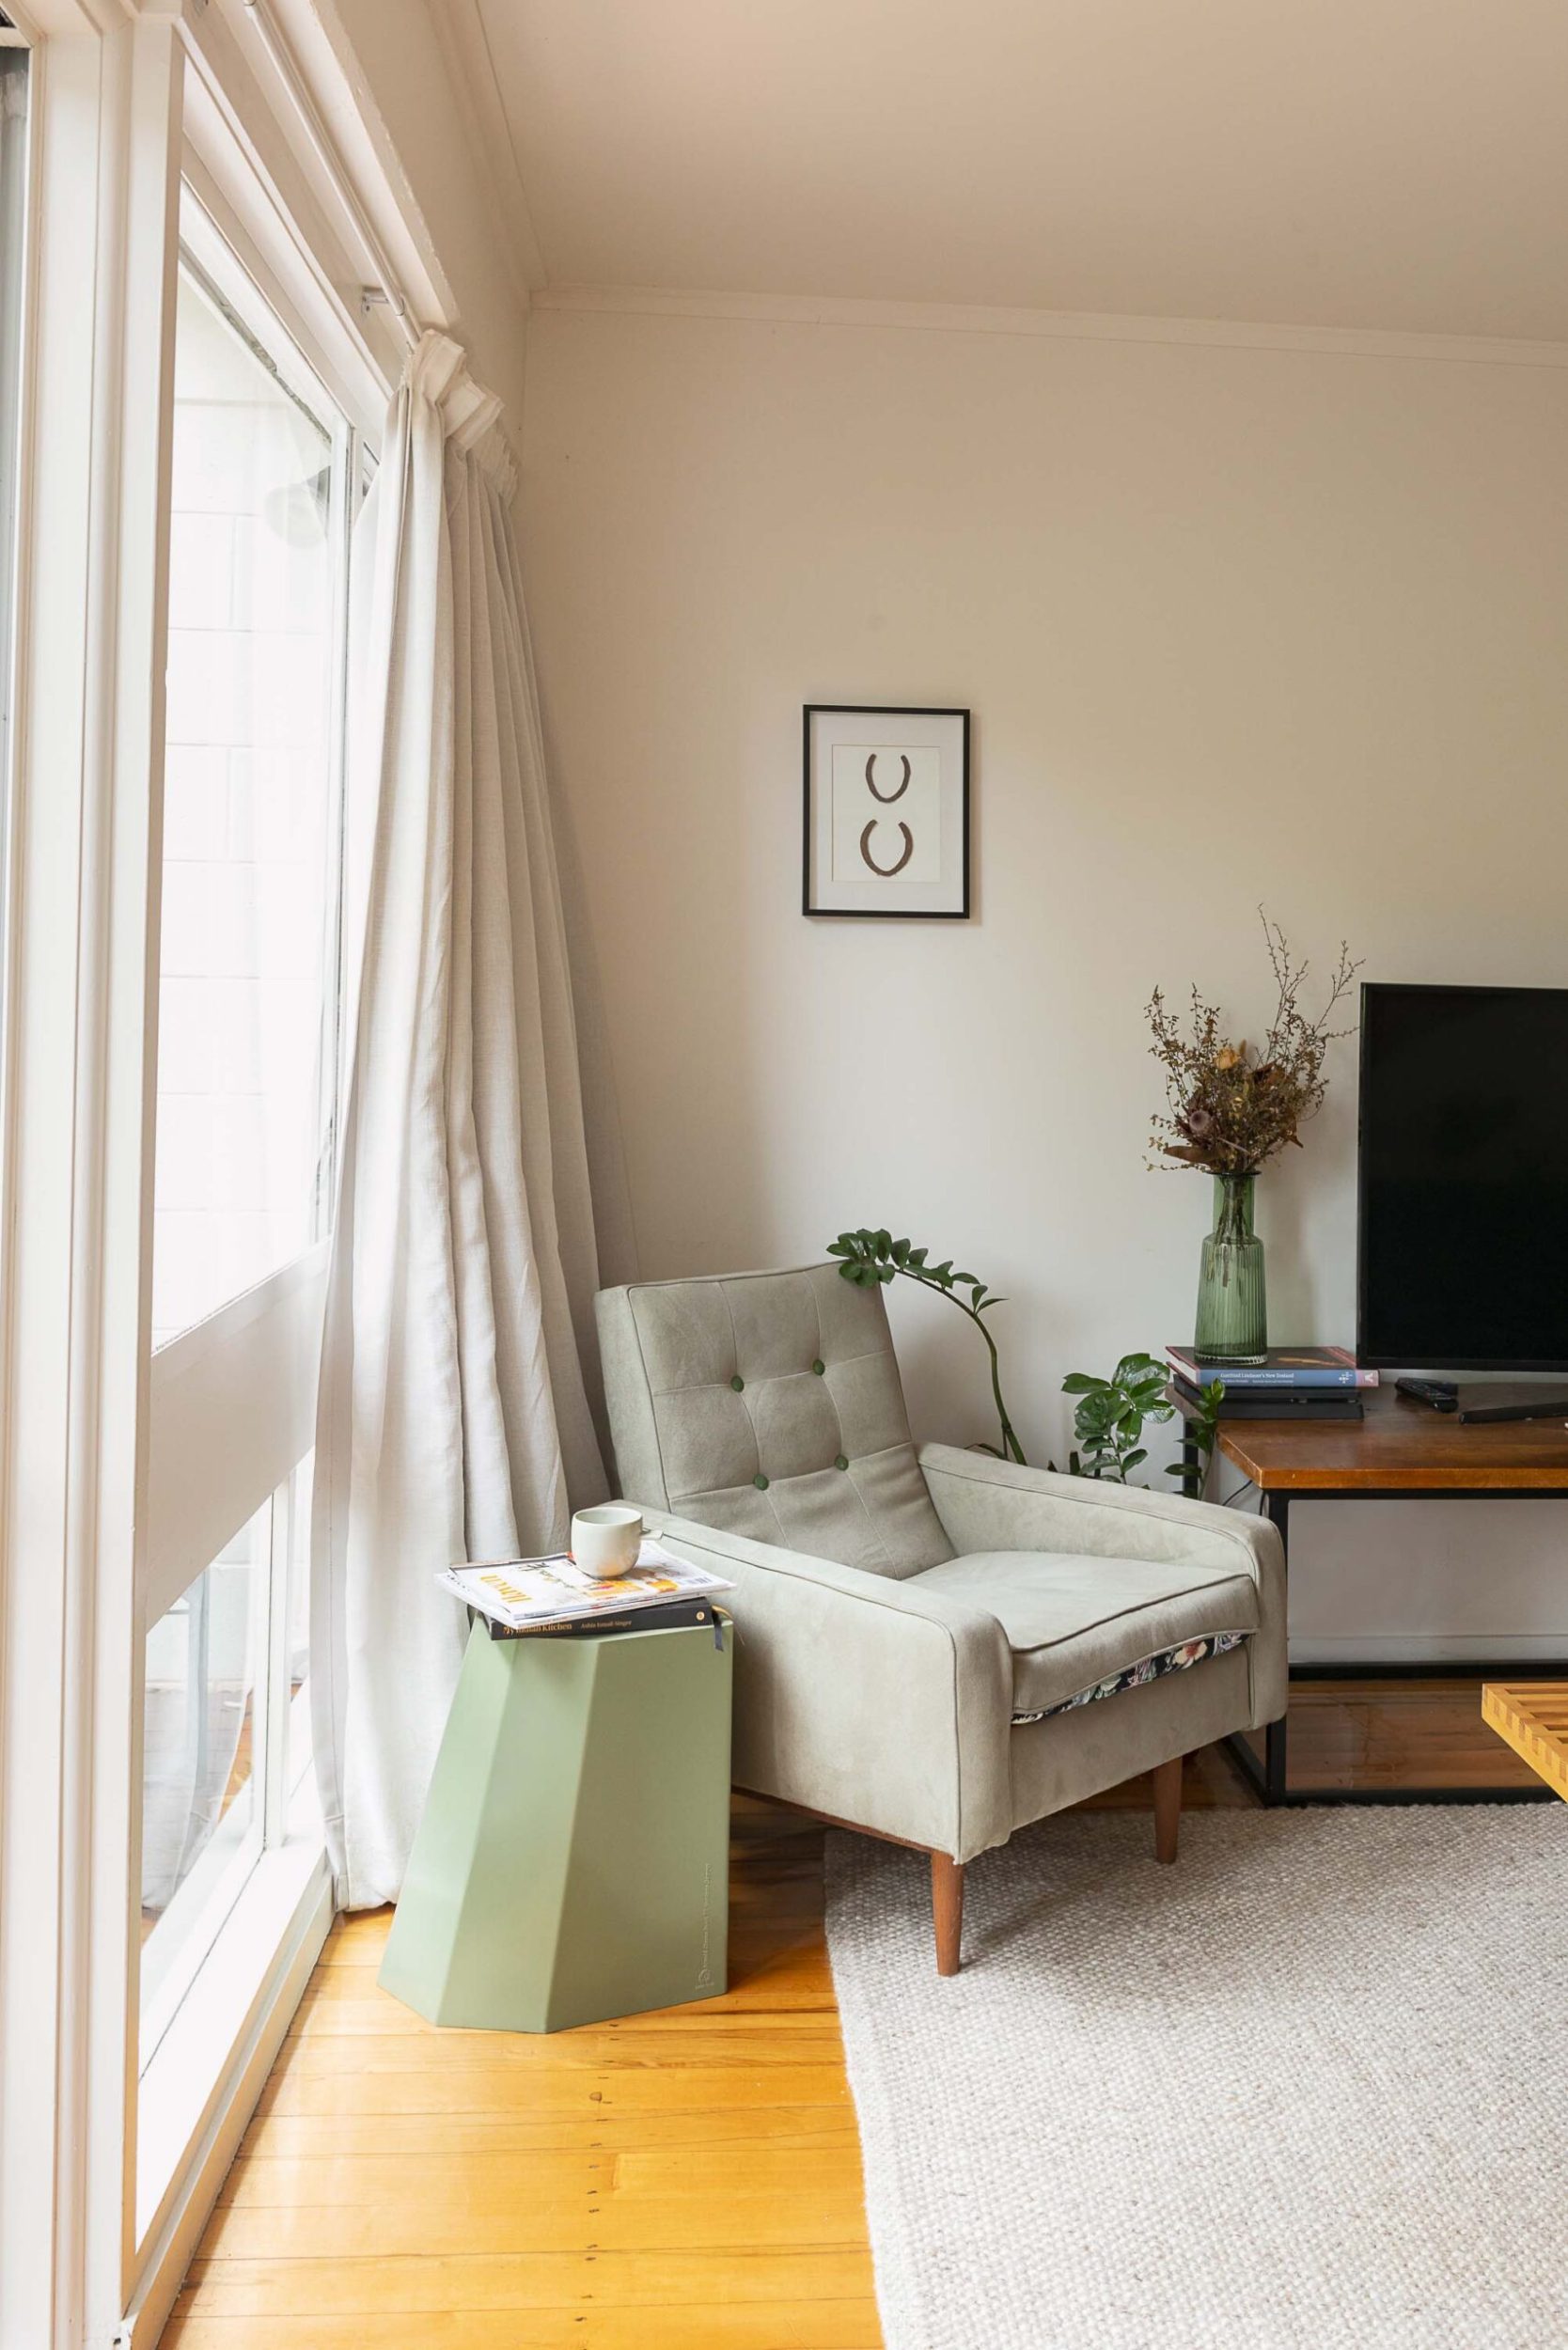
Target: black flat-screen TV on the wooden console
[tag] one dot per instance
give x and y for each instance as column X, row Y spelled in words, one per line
column 1463, row 1183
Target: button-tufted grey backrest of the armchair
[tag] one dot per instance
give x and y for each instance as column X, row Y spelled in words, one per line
column 770, row 1404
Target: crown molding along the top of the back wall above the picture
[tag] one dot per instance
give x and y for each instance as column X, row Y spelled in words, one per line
column 1054, row 325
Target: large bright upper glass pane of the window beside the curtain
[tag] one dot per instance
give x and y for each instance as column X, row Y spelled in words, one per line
column 250, row 824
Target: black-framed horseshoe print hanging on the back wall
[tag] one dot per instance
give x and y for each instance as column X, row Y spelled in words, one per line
column 887, row 812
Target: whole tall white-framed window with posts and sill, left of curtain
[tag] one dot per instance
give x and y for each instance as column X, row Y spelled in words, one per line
column 185, row 380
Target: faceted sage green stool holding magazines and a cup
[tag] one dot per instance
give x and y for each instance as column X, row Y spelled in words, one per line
column 572, row 1860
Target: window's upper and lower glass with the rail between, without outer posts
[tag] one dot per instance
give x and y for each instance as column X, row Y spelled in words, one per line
column 264, row 474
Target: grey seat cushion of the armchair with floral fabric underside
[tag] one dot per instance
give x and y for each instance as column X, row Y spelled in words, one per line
column 1076, row 1623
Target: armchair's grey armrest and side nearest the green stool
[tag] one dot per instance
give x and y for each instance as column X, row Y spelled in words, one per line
column 864, row 1698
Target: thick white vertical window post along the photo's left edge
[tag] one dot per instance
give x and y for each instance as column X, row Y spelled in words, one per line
column 76, row 1143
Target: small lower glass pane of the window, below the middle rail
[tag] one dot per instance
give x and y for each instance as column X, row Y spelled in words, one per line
column 201, row 1759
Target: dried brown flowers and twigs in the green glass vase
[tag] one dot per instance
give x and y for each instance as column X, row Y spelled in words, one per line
column 1233, row 1106
